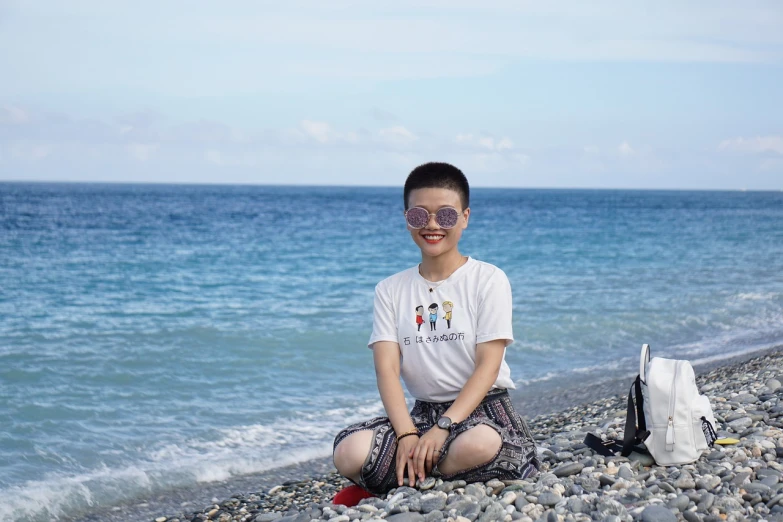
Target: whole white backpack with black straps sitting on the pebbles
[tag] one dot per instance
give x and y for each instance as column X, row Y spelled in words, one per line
column 668, row 419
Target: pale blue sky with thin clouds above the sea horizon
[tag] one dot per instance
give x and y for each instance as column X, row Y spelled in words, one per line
column 571, row 94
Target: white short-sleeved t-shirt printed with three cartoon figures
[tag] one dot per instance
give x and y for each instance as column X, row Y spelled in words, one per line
column 438, row 331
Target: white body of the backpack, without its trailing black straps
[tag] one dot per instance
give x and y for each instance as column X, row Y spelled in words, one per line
column 679, row 420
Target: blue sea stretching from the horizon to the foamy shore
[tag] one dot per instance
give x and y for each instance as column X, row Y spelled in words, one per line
column 154, row 336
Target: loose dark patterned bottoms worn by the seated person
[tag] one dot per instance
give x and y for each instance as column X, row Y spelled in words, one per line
column 516, row 458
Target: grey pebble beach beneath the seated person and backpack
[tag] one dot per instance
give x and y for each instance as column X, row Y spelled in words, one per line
column 736, row 482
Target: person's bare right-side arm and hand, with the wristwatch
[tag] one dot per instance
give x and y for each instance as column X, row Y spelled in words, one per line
column 489, row 357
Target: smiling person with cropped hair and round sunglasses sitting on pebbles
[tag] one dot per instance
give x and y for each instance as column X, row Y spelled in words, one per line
column 463, row 425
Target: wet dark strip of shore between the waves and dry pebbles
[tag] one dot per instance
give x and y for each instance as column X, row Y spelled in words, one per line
column 540, row 406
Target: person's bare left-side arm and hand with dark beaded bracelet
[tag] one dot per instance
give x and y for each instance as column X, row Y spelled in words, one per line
column 386, row 355
